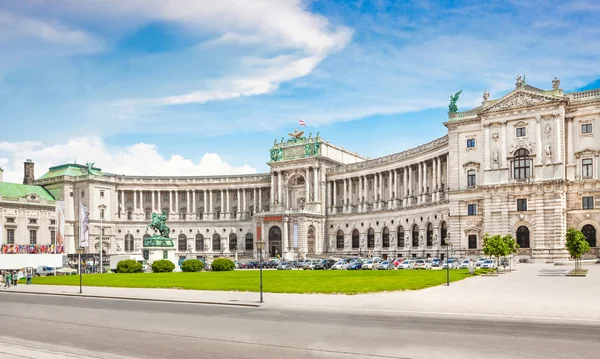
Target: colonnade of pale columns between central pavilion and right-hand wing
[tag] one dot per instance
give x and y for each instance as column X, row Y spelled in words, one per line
column 413, row 189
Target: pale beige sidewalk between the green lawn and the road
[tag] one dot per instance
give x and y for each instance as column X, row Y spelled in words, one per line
column 523, row 294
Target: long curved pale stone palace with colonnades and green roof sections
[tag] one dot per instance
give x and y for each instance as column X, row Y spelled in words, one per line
column 525, row 164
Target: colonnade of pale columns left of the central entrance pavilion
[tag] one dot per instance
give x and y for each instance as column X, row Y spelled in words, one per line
column 174, row 196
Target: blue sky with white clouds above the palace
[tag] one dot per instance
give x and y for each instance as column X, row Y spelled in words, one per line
column 202, row 87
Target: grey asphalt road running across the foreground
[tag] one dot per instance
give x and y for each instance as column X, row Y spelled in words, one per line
column 104, row 328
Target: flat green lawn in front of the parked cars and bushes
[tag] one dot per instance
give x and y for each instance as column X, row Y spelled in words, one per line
column 346, row 282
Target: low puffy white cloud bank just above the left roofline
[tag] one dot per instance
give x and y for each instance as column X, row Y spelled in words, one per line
column 138, row 159
